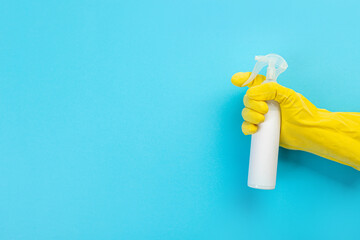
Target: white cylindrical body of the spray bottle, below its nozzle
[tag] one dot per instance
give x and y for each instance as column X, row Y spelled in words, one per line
column 264, row 150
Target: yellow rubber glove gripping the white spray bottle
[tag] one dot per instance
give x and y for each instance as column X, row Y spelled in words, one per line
column 332, row 135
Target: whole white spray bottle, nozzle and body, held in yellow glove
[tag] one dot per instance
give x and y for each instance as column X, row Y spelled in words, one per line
column 265, row 142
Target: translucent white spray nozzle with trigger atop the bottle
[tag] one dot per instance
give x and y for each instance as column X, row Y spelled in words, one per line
column 276, row 65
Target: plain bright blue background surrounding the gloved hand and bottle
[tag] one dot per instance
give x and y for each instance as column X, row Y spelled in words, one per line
column 119, row 120
